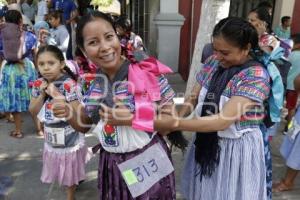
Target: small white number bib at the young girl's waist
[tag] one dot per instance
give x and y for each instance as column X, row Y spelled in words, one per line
column 56, row 136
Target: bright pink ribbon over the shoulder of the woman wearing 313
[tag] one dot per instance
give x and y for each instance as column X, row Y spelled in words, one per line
column 144, row 85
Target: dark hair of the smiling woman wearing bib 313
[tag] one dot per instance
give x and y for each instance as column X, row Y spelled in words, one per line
column 91, row 16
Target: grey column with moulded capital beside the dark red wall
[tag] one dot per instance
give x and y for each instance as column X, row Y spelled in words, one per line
column 169, row 23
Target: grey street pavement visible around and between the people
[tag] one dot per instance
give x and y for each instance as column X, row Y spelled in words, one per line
column 21, row 165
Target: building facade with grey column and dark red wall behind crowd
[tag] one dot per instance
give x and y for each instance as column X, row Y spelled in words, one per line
column 169, row 27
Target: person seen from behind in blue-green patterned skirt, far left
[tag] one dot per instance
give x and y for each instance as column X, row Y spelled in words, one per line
column 17, row 71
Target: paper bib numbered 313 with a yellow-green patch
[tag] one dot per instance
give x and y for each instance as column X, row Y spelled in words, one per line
column 144, row 170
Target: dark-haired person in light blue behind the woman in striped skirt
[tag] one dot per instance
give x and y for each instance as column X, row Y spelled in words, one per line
column 268, row 43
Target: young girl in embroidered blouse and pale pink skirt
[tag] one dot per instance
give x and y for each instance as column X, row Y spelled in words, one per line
column 64, row 149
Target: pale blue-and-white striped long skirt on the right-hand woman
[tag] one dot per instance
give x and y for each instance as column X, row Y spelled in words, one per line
column 241, row 174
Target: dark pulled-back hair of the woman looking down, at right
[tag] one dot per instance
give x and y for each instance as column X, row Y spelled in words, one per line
column 237, row 31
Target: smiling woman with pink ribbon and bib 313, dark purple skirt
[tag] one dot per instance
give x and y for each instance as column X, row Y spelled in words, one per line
column 134, row 161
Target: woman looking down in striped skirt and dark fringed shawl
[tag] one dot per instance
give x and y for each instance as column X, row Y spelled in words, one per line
column 227, row 150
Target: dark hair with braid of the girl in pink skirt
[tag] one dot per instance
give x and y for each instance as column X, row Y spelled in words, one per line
column 58, row 54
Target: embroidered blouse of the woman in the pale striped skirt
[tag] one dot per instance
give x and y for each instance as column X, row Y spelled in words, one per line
column 252, row 83
